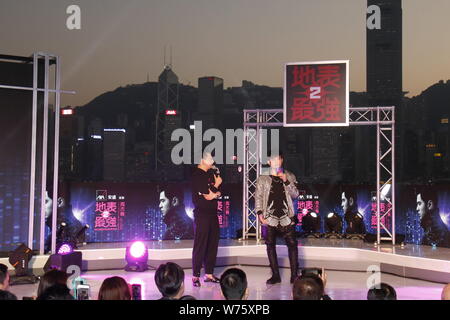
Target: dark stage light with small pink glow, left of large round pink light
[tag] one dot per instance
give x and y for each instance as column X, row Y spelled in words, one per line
column 65, row 256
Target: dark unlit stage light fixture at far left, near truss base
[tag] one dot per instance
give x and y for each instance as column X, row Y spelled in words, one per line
column 19, row 259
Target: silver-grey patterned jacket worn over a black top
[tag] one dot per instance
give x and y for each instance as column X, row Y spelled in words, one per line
column 263, row 185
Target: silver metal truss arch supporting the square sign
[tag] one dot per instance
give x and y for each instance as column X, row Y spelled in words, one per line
column 381, row 117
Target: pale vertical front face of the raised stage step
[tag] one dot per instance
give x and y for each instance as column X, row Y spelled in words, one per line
column 331, row 258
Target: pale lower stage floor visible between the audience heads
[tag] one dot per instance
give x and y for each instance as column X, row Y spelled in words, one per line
column 341, row 285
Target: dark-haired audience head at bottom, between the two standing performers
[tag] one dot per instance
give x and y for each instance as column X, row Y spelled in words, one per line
column 233, row 283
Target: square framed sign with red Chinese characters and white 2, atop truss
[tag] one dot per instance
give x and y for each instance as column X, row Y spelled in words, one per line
column 316, row 94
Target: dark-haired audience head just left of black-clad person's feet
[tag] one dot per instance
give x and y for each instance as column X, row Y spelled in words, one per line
column 169, row 279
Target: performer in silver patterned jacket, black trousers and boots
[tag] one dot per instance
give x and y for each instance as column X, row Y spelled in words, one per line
column 275, row 209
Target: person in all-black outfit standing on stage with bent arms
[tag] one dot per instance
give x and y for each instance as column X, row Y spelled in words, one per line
column 205, row 191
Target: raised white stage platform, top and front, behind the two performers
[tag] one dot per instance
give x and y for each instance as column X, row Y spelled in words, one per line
column 409, row 261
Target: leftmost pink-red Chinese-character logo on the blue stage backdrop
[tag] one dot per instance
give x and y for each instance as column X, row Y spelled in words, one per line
column 109, row 211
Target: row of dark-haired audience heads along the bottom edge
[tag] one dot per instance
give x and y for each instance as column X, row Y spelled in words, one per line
column 170, row 280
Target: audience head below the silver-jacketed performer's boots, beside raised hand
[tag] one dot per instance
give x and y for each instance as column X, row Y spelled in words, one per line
column 308, row 287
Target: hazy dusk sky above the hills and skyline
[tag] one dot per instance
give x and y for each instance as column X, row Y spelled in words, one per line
column 120, row 42
